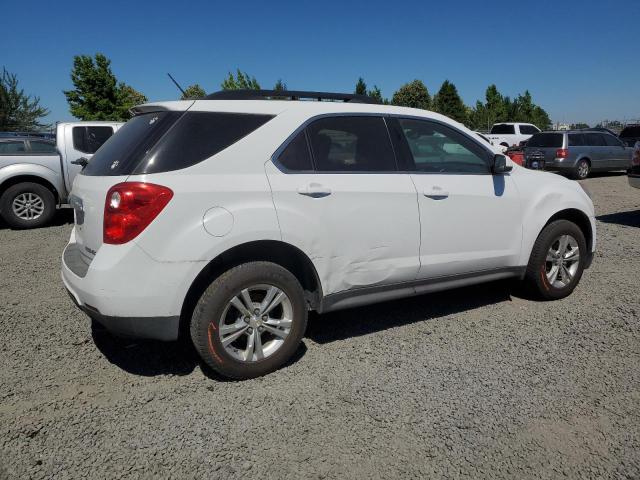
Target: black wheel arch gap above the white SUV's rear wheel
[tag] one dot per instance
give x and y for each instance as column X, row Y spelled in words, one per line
column 281, row 253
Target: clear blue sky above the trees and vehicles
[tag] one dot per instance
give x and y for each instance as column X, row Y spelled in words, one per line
column 579, row 59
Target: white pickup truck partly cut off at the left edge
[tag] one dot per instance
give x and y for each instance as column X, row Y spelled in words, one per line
column 36, row 174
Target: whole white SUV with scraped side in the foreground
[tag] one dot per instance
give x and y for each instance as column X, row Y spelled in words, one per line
column 229, row 218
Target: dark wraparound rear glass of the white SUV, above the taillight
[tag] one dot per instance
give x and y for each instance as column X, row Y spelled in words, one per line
column 164, row 141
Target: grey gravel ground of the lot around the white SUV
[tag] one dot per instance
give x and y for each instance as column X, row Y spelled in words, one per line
column 471, row 383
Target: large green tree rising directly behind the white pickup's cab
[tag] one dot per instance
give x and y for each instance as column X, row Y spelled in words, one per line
column 97, row 94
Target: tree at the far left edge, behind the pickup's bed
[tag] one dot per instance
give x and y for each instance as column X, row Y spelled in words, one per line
column 18, row 111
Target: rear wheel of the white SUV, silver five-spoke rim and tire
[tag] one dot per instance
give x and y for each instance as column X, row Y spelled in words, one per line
column 250, row 320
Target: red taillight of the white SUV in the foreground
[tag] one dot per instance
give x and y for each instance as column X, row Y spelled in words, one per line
column 130, row 207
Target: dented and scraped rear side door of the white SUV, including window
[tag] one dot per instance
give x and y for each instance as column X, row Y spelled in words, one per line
column 341, row 199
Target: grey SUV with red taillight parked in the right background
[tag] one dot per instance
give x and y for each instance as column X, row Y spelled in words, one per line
column 577, row 153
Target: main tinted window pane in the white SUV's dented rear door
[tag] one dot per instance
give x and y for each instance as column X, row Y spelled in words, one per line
column 351, row 144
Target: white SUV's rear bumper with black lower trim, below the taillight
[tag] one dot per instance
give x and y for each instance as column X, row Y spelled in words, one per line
column 127, row 291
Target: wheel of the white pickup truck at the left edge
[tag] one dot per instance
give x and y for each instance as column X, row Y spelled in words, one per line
column 27, row 205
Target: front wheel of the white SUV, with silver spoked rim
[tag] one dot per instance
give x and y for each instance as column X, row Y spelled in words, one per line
column 557, row 261
